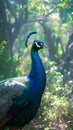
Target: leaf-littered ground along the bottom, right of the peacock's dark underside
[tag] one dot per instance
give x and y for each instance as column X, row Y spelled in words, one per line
column 36, row 124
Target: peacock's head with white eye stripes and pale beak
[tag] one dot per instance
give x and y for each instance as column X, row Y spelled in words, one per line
column 37, row 45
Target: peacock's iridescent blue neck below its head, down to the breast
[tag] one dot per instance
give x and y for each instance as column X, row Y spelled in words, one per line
column 37, row 76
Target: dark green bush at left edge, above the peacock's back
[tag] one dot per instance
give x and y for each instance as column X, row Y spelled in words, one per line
column 8, row 63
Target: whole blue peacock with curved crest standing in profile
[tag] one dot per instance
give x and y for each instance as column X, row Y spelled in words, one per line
column 20, row 97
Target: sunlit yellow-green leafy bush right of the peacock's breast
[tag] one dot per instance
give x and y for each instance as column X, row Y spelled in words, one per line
column 56, row 106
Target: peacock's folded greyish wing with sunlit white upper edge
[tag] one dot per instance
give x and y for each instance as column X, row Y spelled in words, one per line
column 12, row 94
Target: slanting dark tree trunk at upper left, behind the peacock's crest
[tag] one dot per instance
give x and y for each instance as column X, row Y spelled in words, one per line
column 13, row 29
